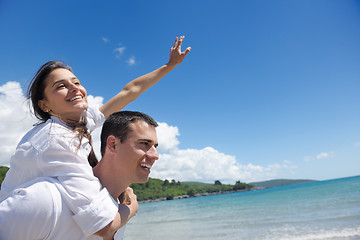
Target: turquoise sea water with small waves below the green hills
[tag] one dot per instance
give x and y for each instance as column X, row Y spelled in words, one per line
column 319, row 210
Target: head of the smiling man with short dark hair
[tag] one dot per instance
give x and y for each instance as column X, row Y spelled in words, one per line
column 128, row 142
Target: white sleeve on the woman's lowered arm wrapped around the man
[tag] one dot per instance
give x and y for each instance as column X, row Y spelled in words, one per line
column 93, row 207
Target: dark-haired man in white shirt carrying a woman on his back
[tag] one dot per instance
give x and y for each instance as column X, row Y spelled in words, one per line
column 37, row 210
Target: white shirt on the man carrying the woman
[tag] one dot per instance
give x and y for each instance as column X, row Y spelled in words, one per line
column 38, row 211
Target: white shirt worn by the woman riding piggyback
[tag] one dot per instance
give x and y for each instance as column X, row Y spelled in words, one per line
column 52, row 150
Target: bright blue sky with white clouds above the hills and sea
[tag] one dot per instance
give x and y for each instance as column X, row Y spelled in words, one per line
column 272, row 87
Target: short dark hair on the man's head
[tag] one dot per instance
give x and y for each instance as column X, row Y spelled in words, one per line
column 117, row 124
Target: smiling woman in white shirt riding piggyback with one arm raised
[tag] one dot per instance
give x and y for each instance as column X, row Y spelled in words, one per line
column 60, row 146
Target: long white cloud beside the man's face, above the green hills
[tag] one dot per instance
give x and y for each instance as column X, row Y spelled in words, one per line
column 207, row 164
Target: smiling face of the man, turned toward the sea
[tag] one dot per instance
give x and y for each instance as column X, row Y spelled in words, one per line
column 137, row 153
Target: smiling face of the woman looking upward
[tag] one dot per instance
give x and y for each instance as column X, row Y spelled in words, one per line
column 64, row 95
